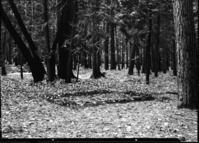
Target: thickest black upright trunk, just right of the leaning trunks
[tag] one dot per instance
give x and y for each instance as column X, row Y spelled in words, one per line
column 68, row 15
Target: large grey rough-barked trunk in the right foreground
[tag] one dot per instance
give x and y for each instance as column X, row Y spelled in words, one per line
column 186, row 51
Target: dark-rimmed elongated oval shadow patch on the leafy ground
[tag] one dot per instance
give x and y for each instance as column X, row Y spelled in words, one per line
column 68, row 98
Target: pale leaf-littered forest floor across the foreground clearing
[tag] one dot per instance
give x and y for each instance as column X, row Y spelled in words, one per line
column 118, row 106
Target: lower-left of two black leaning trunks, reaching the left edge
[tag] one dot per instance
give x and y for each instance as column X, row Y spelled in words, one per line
column 37, row 75
